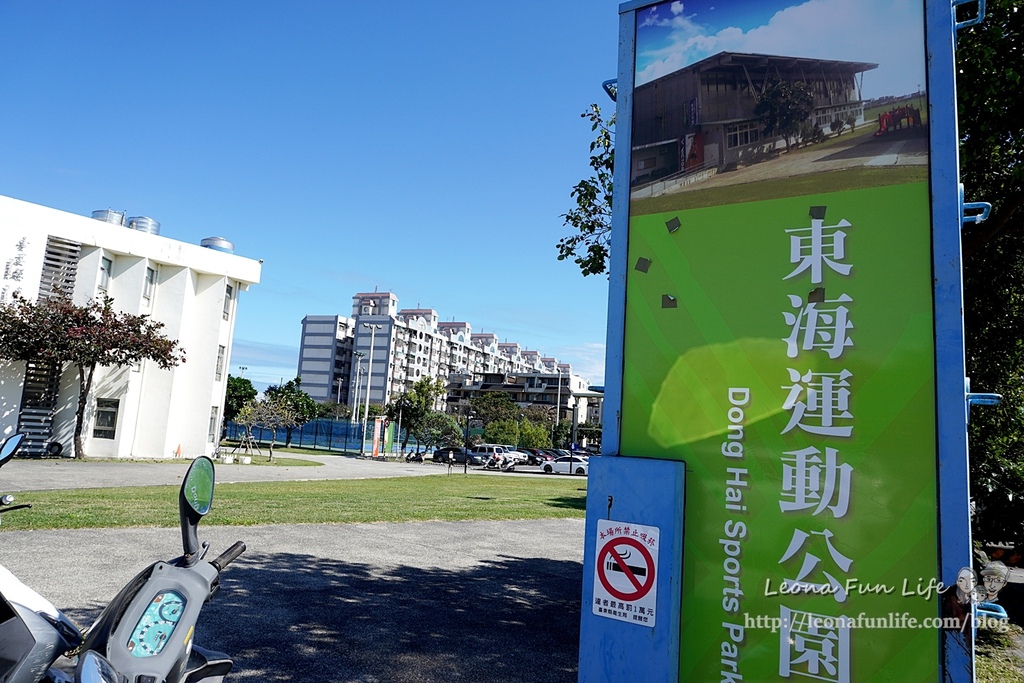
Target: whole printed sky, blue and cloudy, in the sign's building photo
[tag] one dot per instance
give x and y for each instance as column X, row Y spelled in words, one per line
column 890, row 33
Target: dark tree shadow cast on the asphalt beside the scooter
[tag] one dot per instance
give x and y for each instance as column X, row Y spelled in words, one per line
column 291, row 617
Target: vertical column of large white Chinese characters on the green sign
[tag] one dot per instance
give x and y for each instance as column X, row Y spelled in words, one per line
column 817, row 484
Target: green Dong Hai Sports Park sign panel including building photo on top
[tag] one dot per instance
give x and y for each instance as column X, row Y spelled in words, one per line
column 780, row 332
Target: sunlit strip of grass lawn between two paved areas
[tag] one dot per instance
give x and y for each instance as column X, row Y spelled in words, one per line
column 405, row 499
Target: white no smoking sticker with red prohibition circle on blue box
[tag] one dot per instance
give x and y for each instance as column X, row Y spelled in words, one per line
column 626, row 574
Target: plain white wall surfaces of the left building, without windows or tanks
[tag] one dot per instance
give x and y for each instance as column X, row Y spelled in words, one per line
column 160, row 411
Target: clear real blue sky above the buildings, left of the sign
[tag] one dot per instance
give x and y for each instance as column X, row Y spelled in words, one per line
column 423, row 148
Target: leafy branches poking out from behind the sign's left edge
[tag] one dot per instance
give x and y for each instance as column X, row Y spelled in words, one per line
column 591, row 219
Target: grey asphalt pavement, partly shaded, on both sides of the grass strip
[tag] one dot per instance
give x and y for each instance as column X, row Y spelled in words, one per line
column 368, row 604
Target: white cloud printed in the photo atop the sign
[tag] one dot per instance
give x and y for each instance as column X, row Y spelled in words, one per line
column 889, row 33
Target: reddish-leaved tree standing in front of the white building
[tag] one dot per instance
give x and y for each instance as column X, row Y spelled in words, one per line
column 56, row 330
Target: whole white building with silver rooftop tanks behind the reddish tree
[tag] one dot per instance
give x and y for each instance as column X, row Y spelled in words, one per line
column 139, row 412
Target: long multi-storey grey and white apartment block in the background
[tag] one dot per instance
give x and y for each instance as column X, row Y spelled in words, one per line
column 385, row 351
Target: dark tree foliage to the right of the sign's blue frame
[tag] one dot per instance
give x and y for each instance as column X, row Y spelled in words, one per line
column 991, row 67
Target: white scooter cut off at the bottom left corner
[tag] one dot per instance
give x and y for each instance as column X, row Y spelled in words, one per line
column 33, row 633
